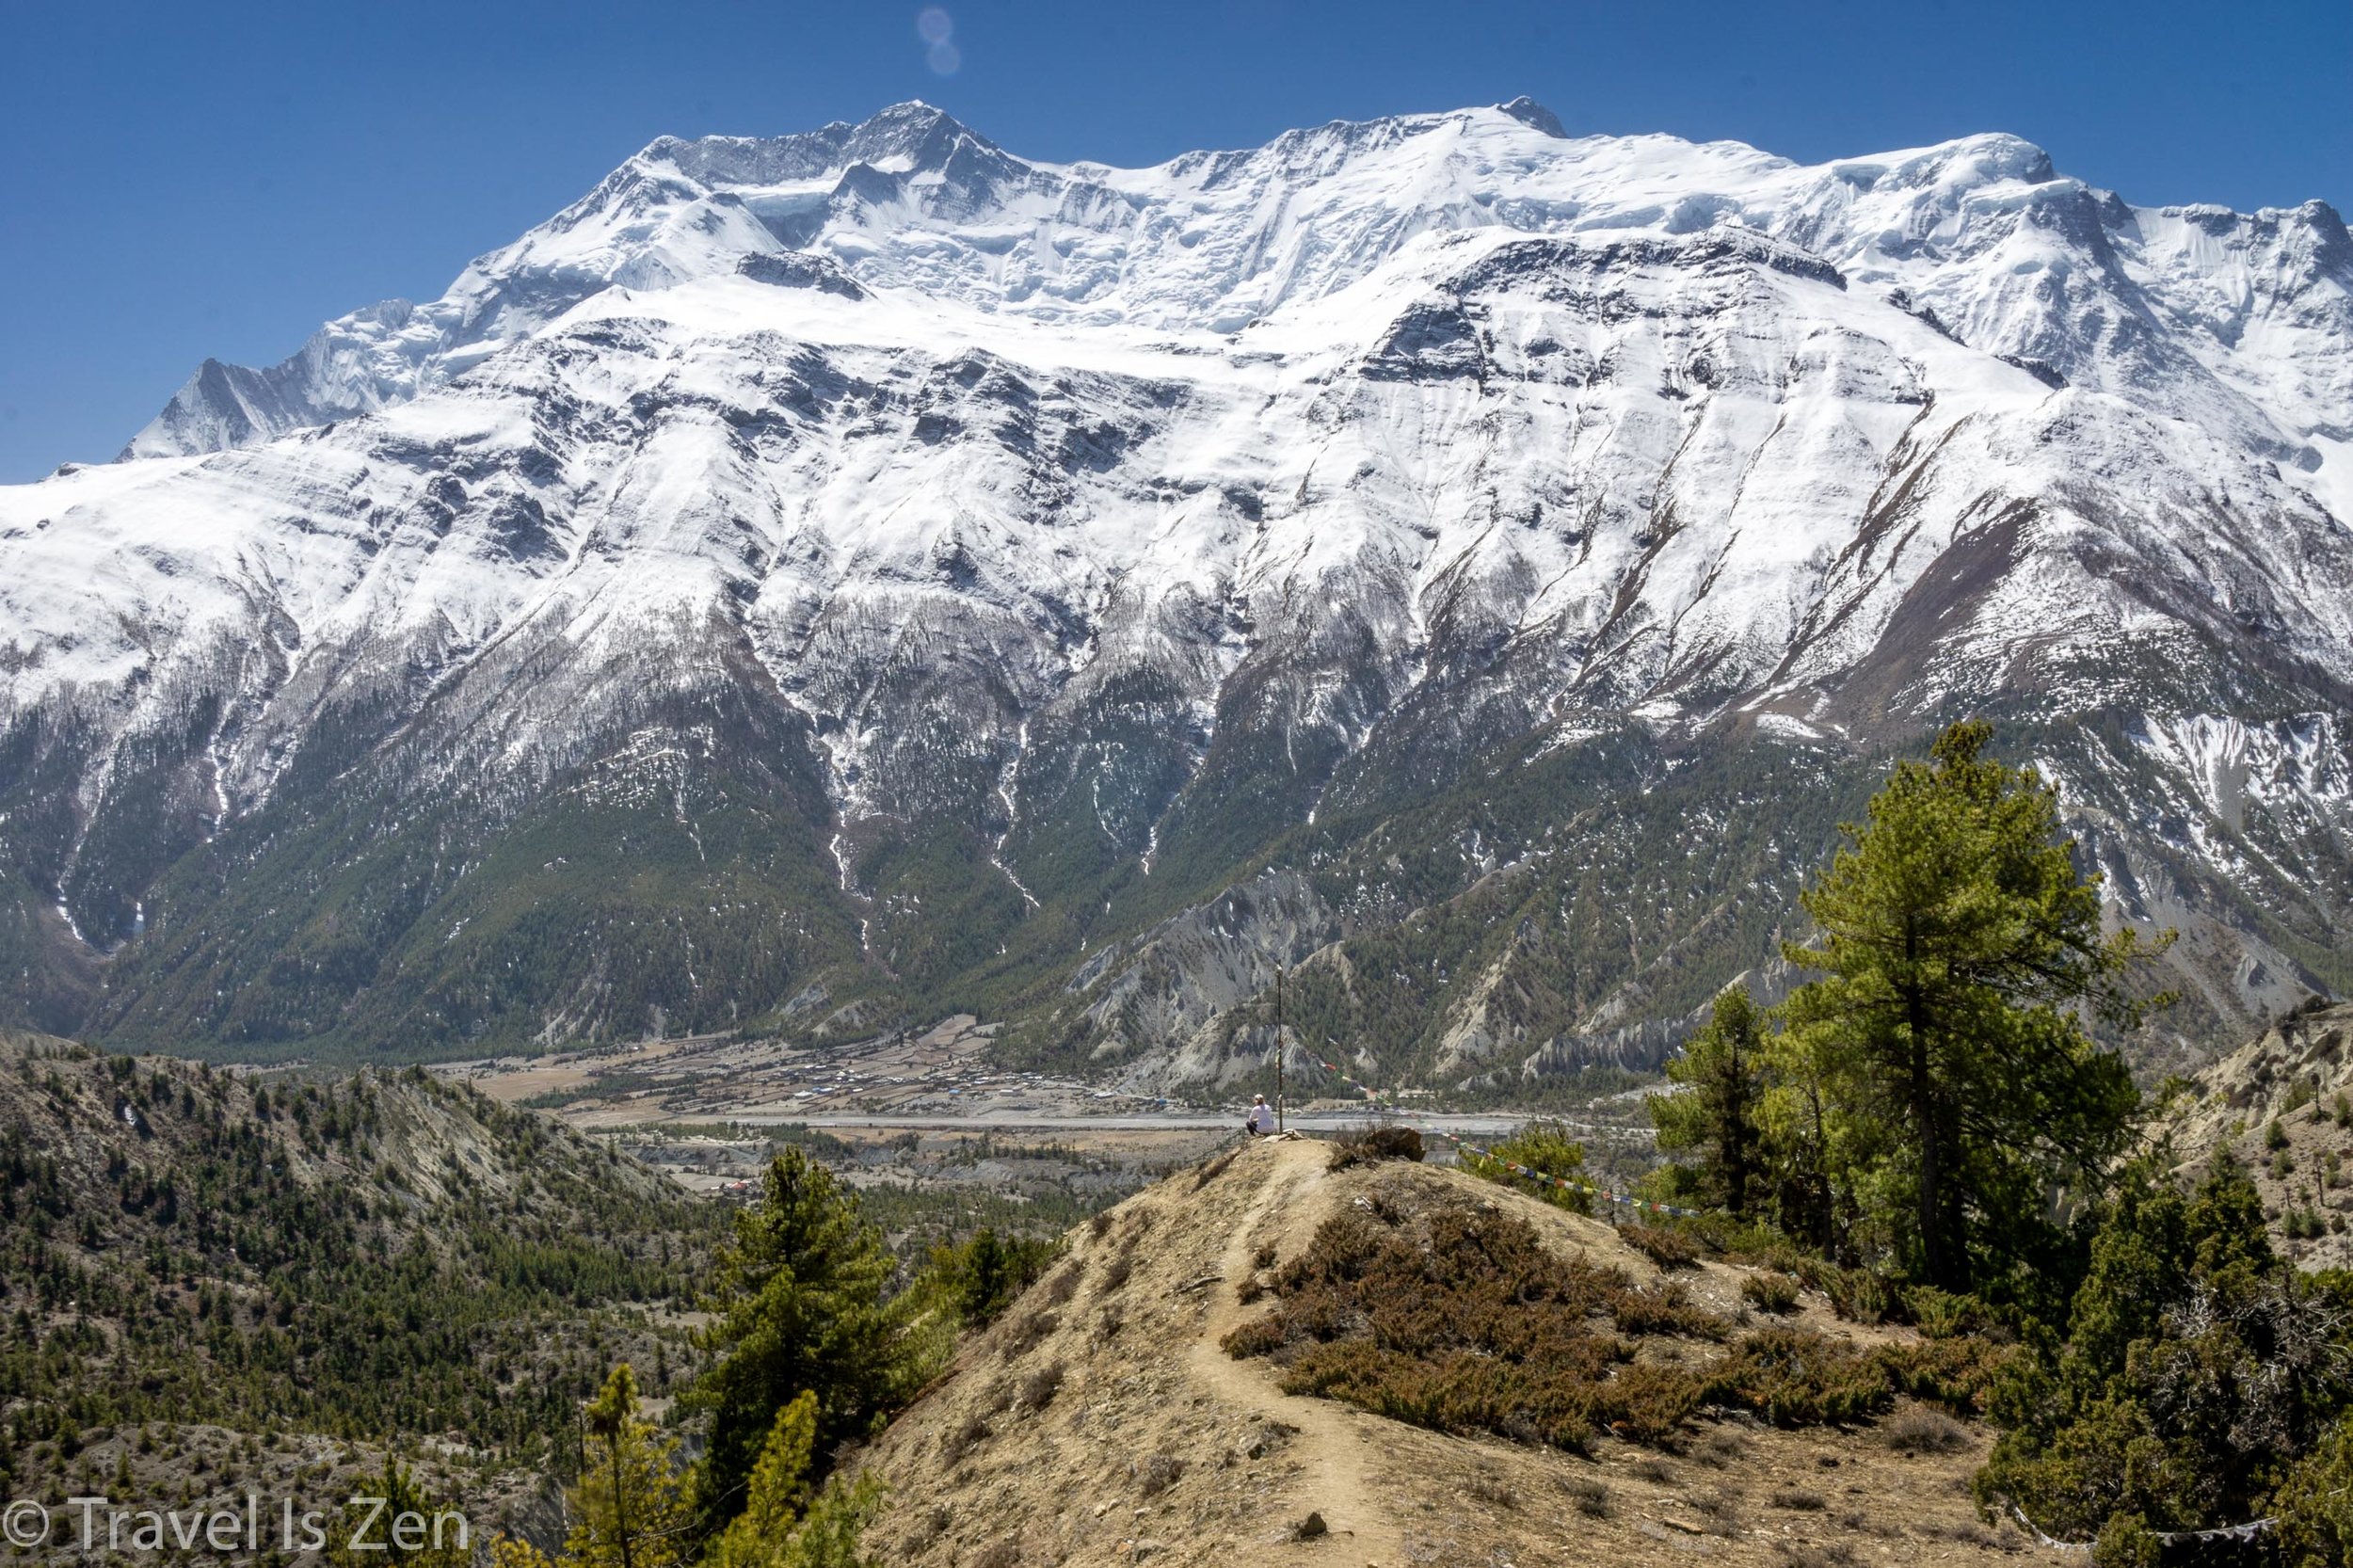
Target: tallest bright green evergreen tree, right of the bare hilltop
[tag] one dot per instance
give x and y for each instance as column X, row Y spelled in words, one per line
column 1959, row 948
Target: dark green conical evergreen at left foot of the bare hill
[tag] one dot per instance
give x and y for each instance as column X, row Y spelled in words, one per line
column 799, row 1313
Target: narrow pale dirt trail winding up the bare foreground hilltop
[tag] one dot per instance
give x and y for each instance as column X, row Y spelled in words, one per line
column 1333, row 1447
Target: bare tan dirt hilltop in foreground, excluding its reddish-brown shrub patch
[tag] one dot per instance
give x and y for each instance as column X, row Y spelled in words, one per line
column 1105, row 1418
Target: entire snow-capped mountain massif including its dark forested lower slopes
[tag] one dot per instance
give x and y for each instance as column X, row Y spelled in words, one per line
column 825, row 578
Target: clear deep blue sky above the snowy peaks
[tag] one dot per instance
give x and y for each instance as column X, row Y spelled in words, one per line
column 215, row 178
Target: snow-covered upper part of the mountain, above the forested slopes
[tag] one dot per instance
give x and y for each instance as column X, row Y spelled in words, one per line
column 1079, row 512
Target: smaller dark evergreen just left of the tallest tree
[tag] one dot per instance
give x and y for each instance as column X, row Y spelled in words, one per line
column 1717, row 1115
